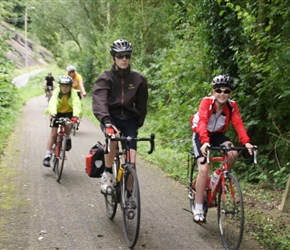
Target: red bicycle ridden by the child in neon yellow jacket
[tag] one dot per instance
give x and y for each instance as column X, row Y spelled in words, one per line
column 59, row 148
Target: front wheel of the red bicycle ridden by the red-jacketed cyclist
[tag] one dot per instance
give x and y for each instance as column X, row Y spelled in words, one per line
column 231, row 213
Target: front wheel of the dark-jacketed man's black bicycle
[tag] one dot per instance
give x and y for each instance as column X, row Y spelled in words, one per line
column 131, row 206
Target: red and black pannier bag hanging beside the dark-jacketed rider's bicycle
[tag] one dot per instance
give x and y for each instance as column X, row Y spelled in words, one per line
column 95, row 164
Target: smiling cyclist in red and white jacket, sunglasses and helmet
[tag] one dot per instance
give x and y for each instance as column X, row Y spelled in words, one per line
column 209, row 125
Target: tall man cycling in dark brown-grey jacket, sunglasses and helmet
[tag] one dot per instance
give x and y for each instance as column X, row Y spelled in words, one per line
column 120, row 103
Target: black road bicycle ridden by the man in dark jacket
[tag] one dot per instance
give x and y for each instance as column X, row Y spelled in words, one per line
column 125, row 188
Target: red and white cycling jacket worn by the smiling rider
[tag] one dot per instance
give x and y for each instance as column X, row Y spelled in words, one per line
column 205, row 122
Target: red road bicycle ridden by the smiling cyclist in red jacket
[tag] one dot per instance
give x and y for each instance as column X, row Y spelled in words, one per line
column 226, row 195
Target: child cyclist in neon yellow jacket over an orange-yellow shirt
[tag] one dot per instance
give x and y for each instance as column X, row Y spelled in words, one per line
column 64, row 103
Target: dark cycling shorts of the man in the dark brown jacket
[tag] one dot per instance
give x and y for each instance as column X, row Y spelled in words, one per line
column 128, row 127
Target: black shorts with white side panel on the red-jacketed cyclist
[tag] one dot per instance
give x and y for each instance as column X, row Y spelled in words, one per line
column 215, row 140
